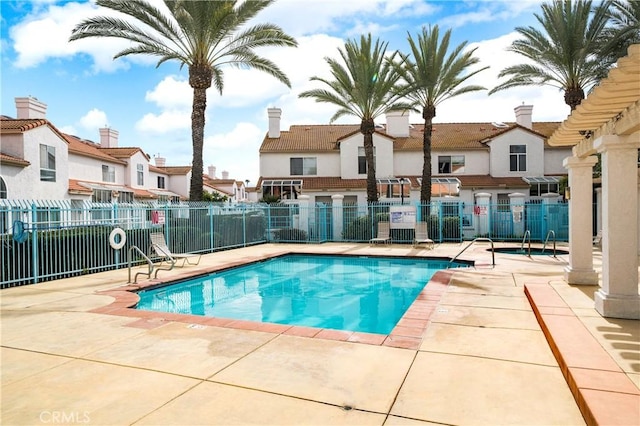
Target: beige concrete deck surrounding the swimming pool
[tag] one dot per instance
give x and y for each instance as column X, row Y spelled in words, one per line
column 510, row 344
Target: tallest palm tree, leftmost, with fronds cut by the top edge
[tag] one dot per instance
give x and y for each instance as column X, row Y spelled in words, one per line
column 203, row 35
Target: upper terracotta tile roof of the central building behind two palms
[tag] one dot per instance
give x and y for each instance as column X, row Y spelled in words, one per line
column 445, row 136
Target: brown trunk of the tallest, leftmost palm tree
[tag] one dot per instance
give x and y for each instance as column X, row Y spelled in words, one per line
column 200, row 80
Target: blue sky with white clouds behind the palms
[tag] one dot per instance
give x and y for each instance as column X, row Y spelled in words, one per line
column 85, row 89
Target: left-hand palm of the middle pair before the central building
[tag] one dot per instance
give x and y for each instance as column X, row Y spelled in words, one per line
column 366, row 87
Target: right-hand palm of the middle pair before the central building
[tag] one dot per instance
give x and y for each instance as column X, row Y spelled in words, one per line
column 433, row 75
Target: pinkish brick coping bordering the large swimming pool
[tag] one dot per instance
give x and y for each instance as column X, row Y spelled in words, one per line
column 407, row 333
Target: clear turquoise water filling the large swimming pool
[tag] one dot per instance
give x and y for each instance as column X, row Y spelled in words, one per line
column 366, row 294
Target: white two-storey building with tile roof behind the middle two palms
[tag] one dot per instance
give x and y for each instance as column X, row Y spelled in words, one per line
column 494, row 159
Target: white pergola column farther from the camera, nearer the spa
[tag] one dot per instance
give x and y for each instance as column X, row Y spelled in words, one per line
column 580, row 269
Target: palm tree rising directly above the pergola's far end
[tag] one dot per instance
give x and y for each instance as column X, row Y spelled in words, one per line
column 566, row 53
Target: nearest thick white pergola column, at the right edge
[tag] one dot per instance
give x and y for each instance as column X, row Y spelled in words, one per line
column 618, row 297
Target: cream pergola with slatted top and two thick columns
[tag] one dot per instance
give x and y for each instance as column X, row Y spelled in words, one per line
column 606, row 122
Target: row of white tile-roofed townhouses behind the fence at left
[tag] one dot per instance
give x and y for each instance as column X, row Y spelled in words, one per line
column 38, row 162
